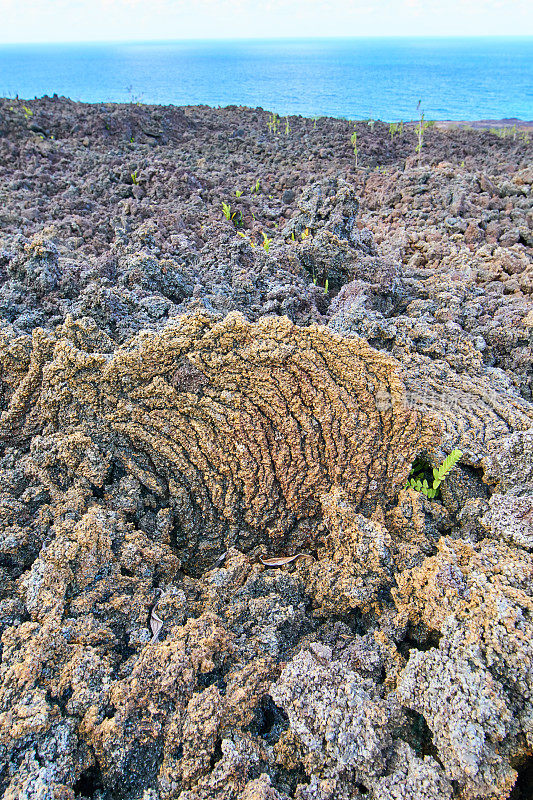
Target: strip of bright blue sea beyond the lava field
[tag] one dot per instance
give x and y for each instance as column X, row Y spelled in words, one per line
column 469, row 79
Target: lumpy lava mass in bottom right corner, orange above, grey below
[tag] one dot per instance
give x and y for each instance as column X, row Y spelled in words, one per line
column 474, row 688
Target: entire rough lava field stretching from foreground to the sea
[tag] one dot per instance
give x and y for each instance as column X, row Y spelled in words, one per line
column 186, row 396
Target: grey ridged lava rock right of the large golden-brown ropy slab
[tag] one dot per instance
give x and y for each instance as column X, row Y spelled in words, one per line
column 443, row 372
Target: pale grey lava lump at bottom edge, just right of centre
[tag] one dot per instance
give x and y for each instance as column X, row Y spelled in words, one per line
column 346, row 728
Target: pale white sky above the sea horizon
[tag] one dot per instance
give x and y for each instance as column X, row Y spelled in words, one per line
column 145, row 20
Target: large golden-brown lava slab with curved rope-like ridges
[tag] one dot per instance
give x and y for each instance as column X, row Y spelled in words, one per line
column 239, row 427
